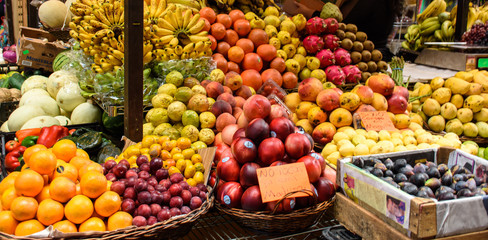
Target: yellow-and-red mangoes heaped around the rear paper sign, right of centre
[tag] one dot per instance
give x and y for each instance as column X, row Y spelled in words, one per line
column 320, row 110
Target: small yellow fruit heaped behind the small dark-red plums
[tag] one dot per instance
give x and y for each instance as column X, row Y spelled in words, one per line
column 179, row 156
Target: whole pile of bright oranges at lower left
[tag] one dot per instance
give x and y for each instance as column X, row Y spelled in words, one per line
column 61, row 187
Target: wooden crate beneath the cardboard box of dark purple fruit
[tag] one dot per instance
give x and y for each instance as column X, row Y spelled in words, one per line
column 366, row 224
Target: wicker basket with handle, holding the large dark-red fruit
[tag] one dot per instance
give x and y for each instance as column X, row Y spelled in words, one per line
column 270, row 222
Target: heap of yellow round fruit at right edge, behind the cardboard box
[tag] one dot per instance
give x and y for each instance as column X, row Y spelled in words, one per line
column 461, row 100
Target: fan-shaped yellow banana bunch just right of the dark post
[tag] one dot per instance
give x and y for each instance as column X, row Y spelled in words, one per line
column 178, row 35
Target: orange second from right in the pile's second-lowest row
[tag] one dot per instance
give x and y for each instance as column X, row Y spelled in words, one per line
column 78, row 209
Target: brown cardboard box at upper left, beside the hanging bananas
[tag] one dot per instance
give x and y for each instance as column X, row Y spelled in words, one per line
column 37, row 48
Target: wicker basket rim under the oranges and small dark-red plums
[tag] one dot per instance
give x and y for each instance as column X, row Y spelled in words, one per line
column 173, row 228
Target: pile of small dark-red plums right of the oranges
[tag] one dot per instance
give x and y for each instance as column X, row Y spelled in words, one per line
column 149, row 193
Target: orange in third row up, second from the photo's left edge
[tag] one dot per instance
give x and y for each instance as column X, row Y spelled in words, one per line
column 29, row 183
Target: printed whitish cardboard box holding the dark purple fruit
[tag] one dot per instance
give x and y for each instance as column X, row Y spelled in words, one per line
column 422, row 217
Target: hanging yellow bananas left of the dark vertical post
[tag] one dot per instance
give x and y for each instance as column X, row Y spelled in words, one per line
column 98, row 25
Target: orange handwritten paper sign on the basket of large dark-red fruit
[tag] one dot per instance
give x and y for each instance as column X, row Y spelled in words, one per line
column 275, row 182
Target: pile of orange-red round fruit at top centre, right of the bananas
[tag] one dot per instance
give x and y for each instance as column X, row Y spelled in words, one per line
column 240, row 49
